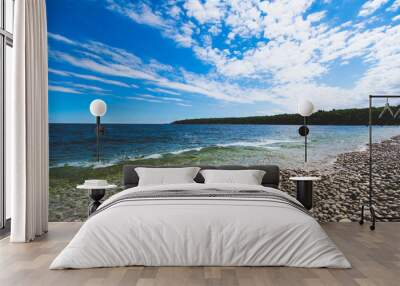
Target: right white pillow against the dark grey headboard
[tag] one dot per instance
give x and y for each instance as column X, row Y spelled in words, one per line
column 248, row 177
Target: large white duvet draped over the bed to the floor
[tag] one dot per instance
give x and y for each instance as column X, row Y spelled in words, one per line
column 203, row 232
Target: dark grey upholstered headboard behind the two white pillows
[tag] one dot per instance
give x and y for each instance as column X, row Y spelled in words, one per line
column 270, row 179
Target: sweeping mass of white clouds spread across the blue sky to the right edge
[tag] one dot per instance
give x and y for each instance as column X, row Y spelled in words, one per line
column 272, row 51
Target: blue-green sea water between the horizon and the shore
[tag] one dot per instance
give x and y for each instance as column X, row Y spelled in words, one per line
column 75, row 144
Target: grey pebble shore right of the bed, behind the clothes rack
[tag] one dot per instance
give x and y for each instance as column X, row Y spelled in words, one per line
column 344, row 185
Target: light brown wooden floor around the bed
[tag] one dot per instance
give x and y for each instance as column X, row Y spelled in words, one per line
column 375, row 257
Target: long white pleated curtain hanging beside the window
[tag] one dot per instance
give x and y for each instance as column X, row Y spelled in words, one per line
column 27, row 124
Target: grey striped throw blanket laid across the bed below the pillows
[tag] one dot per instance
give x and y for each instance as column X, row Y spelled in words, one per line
column 203, row 194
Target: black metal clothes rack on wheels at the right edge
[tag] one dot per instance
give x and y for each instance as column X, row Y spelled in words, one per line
column 370, row 204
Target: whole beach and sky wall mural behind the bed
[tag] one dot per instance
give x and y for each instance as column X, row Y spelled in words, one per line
column 239, row 66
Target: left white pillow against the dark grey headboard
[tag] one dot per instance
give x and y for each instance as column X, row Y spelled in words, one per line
column 166, row 176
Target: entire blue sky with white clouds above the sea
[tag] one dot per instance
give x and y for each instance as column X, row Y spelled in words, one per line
column 159, row 61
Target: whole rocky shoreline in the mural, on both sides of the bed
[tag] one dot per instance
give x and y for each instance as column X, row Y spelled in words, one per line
column 337, row 196
